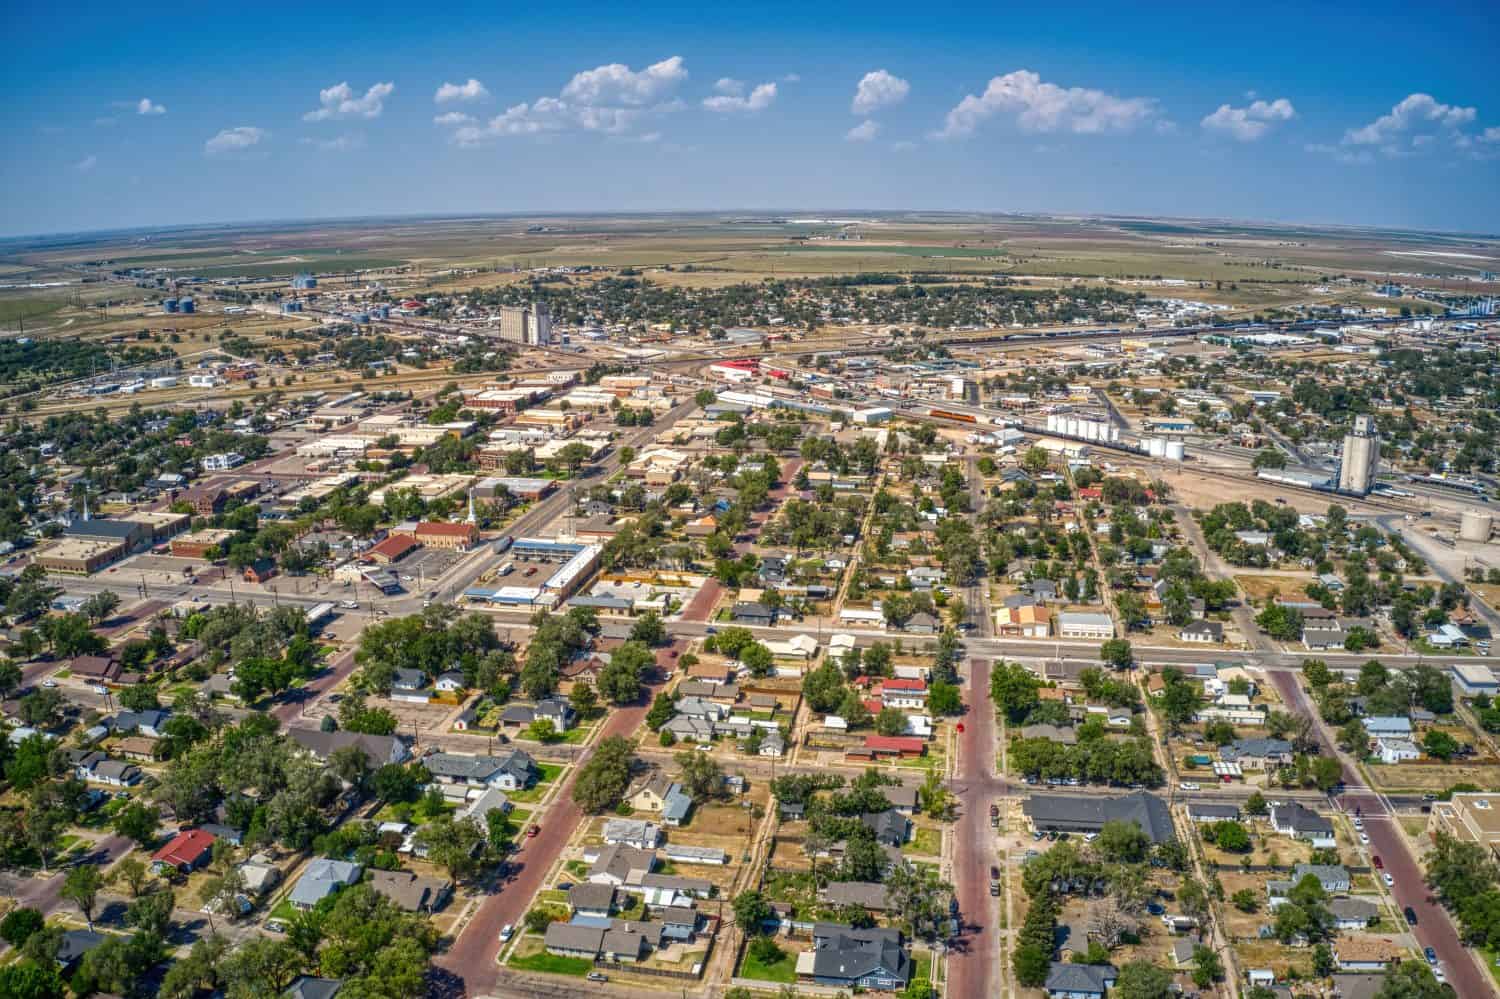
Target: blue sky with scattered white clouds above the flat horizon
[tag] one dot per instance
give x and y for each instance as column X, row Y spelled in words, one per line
column 161, row 115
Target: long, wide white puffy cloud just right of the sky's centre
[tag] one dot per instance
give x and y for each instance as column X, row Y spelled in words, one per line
column 1045, row 107
